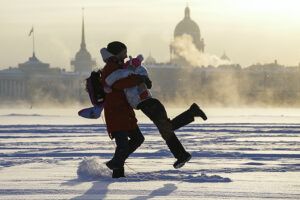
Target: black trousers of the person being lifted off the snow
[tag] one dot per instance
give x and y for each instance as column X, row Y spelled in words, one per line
column 156, row 111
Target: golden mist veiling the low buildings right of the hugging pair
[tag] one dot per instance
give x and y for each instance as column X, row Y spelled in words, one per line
column 223, row 88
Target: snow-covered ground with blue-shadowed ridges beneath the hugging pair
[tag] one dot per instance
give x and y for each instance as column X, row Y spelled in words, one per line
column 237, row 154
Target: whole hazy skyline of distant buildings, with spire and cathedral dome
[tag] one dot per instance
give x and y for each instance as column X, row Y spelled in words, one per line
column 228, row 84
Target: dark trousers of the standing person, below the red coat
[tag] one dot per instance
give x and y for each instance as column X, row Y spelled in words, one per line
column 124, row 146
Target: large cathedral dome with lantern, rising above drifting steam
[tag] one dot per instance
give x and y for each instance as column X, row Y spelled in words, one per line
column 187, row 26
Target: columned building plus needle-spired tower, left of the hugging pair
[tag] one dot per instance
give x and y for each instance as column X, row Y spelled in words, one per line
column 36, row 81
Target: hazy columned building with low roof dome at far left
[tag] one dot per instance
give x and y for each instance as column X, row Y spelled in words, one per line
column 35, row 81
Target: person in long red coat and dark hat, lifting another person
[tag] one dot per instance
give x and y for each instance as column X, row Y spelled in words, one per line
column 120, row 118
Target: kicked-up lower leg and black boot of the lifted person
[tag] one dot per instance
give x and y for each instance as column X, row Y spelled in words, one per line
column 188, row 116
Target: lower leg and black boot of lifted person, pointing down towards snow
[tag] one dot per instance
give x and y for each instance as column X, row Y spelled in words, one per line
column 178, row 151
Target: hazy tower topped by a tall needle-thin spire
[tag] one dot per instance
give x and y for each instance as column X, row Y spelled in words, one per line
column 83, row 61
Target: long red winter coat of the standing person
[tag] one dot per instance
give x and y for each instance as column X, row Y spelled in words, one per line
column 119, row 115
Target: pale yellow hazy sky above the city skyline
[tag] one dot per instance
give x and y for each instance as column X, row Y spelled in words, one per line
column 250, row 31
